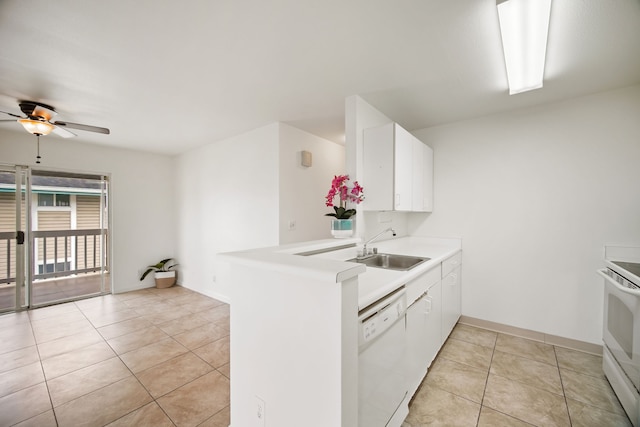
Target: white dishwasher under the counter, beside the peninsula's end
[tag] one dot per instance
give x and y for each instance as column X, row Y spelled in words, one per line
column 382, row 378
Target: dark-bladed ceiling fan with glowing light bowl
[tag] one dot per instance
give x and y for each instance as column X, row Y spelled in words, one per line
column 38, row 121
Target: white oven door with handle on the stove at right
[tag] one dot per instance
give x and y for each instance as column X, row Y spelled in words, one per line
column 621, row 329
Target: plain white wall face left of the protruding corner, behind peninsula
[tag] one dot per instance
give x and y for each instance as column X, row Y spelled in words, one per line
column 228, row 200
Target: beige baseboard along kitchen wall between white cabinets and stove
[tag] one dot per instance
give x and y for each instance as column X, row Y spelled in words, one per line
column 570, row 343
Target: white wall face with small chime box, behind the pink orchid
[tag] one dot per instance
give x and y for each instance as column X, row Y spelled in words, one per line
column 302, row 189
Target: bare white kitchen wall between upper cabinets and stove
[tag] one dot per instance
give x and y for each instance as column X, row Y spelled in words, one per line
column 535, row 195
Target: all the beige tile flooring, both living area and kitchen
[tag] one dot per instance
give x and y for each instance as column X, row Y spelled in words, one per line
column 160, row 357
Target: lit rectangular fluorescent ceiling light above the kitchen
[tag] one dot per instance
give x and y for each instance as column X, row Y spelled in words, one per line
column 524, row 25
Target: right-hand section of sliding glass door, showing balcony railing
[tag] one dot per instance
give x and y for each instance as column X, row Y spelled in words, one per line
column 69, row 236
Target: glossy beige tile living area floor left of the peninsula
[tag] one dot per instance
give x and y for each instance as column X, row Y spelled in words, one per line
column 156, row 357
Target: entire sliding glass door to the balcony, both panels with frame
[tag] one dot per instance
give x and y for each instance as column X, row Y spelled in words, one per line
column 54, row 237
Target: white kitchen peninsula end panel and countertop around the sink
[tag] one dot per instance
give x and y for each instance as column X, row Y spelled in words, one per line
column 294, row 326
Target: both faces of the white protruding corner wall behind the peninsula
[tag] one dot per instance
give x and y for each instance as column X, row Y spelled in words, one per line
column 241, row 193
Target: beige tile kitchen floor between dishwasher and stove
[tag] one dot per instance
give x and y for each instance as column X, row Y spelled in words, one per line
column 483, row 378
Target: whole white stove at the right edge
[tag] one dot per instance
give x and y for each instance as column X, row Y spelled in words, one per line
column 621, row 327
